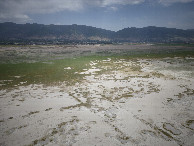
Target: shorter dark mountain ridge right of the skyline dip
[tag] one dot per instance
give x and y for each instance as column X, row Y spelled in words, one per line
column 154, row 34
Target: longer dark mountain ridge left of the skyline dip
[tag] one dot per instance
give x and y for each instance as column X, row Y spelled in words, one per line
column 13, row 31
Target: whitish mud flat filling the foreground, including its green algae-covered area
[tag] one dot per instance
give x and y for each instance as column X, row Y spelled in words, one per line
column 99, row 99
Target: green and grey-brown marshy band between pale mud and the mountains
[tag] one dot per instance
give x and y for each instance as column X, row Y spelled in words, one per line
column 25, row 65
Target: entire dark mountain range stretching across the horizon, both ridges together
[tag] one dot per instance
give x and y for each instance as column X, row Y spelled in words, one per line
column 80, row 33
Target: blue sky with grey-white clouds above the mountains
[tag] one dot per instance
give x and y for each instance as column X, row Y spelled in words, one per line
column 107, row 14
